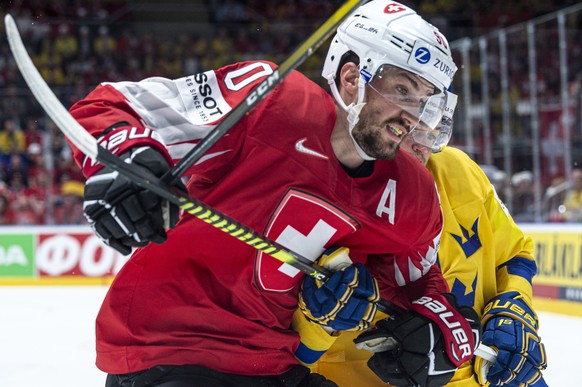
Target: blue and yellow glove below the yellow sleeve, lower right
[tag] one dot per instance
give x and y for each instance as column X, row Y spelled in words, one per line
column 510, row 326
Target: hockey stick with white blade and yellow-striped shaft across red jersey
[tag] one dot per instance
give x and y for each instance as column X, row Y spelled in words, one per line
column 90, row 147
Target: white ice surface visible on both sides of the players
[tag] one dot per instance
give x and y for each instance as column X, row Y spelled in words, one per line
column 47, row 339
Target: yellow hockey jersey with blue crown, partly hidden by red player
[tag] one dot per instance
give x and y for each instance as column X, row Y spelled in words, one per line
column 482, row 253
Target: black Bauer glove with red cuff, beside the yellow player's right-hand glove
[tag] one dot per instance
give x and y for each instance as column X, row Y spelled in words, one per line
column 424, row 346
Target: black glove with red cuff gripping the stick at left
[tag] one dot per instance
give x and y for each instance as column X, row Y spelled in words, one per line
column 121, row 213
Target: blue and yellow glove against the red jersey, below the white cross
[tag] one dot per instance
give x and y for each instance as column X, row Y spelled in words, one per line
column 346, row 301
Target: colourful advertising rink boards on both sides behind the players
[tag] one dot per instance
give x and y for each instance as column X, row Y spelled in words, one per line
column 48, row 255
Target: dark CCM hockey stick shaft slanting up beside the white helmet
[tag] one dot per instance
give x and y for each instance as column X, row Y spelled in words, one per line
column 261, row 90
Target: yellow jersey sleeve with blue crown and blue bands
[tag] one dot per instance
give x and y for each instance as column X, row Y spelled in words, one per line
column 483, row 252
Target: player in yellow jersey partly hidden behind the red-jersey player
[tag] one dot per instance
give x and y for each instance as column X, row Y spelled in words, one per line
column 488, row 263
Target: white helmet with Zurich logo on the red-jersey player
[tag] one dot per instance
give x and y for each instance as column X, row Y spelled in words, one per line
column 386, row 32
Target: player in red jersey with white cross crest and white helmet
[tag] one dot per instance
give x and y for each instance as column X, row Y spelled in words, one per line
column 199, row 307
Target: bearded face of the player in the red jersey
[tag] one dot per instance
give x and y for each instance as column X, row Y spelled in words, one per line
column 394, row 100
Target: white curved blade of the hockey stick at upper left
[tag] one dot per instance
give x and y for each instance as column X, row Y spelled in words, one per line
column 45, row 96
